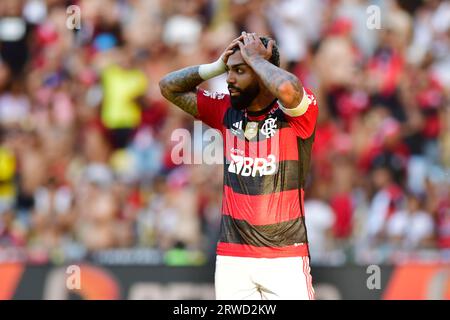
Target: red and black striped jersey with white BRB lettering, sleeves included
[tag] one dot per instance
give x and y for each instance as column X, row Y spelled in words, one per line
column 265, row 168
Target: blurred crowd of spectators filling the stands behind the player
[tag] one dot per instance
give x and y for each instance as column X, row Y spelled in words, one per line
column 85, row 135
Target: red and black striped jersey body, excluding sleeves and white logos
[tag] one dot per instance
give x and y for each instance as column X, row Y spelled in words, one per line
column 262, row 214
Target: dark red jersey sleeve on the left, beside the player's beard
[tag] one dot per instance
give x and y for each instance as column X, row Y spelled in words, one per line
column 211, row 108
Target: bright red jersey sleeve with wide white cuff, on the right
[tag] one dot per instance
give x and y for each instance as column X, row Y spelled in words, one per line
column 304, row 123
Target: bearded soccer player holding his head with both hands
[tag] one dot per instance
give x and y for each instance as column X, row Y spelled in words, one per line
column 267, row 123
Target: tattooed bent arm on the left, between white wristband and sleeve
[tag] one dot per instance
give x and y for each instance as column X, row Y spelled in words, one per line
column 179, row 87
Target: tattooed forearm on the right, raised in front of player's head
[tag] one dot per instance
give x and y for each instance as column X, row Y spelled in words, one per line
column 284, row 85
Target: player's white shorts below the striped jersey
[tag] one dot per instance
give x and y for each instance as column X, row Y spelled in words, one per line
column 241, row 278
